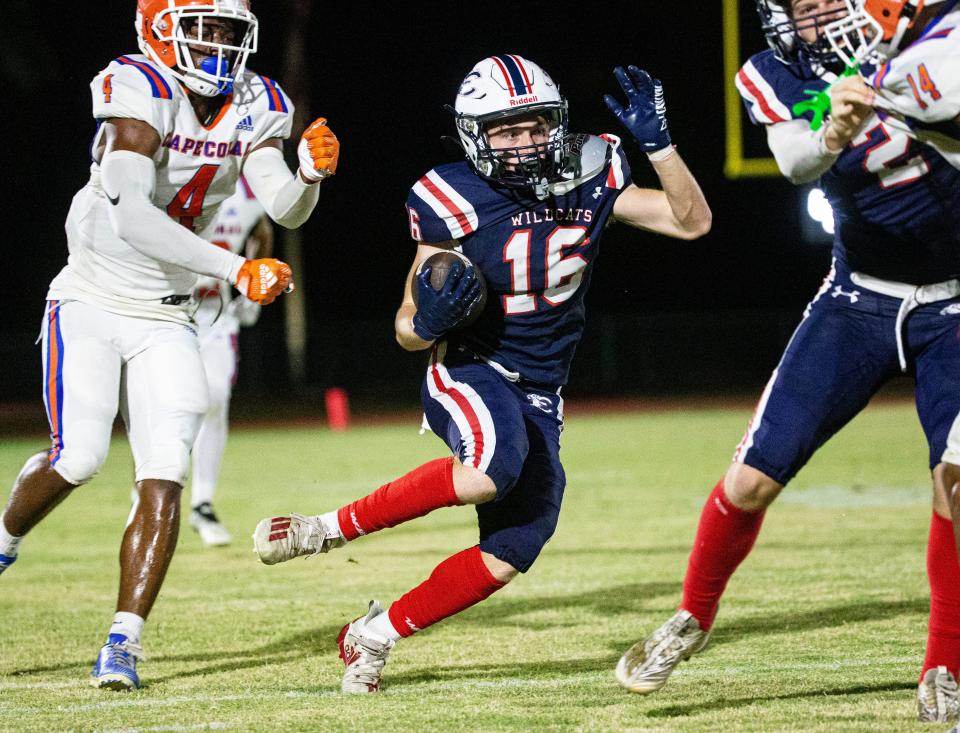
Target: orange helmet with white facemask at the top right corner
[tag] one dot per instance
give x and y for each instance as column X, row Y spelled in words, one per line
column 873, row 29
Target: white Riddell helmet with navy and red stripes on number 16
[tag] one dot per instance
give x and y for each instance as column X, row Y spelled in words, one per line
column 500, row 87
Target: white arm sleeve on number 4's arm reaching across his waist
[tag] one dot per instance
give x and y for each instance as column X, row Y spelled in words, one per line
column 128, row 181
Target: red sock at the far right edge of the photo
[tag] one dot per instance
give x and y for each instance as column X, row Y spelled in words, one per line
column 943, row 571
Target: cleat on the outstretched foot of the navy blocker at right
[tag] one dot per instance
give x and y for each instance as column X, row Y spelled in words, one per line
column 645, row 667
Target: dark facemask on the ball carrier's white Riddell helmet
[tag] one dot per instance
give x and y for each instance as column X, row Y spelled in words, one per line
column 534, row 166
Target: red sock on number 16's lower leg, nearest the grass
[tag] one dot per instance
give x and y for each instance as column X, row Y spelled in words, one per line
column 454, row 585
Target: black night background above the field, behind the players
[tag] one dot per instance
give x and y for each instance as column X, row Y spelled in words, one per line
column 665, row 317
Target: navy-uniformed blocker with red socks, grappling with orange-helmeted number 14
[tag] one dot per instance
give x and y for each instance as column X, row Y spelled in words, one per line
column 889, row 304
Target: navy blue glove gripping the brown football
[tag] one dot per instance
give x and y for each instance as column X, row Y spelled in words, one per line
column 438, row 311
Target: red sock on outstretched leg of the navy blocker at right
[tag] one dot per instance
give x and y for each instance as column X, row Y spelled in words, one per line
column 724, row 538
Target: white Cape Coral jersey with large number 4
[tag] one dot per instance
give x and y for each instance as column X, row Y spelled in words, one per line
column 197, row 166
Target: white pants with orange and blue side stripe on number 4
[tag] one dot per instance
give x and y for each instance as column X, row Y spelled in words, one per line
column 96, row 363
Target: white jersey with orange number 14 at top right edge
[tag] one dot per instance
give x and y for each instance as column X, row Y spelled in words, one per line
column 921, row 87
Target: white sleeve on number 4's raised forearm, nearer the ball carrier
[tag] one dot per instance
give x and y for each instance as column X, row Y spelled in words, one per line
column 284, row 196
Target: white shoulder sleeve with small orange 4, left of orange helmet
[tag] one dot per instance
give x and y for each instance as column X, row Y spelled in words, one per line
column 132, row 87
